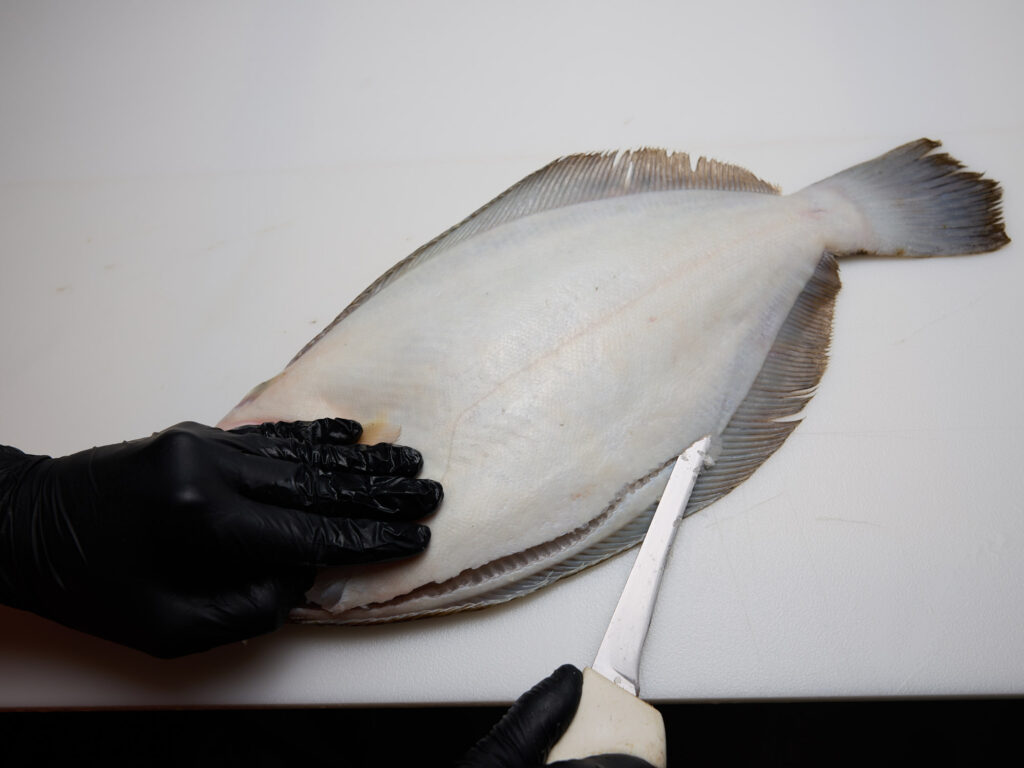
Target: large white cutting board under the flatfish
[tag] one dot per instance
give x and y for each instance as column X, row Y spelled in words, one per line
column 188, row 195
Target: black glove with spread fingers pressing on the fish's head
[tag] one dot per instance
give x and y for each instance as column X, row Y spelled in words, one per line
column 198, row 537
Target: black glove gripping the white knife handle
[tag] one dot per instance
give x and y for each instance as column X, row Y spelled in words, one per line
column 526, row 735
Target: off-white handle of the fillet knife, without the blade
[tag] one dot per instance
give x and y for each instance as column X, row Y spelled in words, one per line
column 612, row 721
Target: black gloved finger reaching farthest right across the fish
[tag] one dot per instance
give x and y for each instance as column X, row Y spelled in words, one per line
column 336, row 493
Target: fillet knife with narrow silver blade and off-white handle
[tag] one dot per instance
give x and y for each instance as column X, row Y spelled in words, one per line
column 612, row 719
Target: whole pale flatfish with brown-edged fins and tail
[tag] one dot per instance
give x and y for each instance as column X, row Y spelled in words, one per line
column 552, row 355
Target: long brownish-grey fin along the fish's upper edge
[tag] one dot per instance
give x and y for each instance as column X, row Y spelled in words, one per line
column 570, row 181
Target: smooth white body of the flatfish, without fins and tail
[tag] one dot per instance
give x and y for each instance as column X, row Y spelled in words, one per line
column 549, row 369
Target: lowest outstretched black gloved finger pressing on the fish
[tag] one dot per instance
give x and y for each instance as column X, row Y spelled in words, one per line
column 271, row 535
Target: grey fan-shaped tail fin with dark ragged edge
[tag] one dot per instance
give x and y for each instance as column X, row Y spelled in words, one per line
column 913, row 202
